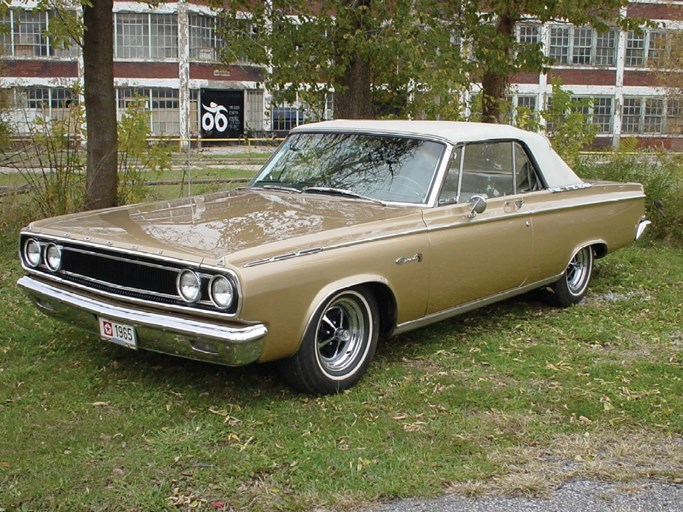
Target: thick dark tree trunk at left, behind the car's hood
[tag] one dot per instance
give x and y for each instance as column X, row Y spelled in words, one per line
column 100, row 105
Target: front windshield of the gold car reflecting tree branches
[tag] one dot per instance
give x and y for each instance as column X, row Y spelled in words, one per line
column 384, row 168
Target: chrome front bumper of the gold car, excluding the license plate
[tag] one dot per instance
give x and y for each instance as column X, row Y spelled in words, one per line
column 198, row 339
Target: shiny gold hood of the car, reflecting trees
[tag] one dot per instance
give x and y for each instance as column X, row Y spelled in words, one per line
column 234, row 227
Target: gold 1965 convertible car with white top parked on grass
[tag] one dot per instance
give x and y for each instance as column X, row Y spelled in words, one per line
column 352, row 231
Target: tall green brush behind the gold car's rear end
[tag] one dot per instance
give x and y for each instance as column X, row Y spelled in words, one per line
column 662, row 177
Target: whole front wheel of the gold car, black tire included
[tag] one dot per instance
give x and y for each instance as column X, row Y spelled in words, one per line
column 338, row 345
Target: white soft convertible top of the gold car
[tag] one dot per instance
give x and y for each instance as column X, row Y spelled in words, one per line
column 556, row 172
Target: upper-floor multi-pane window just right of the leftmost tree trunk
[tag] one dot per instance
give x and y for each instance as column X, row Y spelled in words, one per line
column 145, row 36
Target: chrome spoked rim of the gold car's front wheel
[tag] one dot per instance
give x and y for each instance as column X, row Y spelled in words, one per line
column 341, row 334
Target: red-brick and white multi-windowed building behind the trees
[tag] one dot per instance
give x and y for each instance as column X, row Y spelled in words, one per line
column 168, row 57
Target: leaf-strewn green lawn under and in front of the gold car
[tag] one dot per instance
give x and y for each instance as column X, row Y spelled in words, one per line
column 513, row 398
